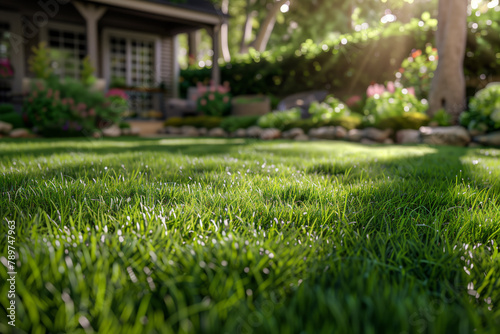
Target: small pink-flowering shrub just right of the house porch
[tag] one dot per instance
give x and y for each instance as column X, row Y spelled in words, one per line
column 214, row 100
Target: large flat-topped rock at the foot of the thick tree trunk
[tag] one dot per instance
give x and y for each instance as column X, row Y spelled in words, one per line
column 451, row 135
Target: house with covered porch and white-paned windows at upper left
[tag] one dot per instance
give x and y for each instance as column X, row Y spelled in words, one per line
column 131, row 43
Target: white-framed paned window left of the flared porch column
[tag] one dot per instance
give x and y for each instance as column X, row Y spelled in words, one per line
column 68, row 48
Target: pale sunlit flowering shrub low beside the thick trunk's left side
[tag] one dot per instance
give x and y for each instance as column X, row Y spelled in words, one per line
column 388, row 102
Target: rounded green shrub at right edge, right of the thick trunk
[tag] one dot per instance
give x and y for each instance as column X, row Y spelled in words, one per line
column 484, row 110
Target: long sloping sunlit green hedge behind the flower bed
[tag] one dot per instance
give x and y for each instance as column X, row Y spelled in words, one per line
column 328, row 65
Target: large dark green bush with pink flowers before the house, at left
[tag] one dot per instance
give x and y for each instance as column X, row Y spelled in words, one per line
column 68, row 108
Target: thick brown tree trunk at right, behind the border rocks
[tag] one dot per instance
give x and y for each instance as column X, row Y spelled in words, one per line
column 448, row 85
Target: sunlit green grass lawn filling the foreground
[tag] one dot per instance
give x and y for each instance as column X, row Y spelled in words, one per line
column 236, row 236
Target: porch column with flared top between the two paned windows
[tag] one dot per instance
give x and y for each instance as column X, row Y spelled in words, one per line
column 92, row 14
